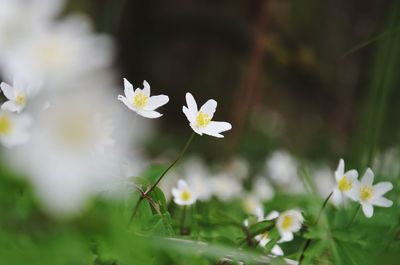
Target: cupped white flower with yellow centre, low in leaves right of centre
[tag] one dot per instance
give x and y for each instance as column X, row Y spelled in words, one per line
column 289, row 222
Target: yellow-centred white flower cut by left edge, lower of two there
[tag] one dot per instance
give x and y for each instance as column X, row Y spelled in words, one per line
column 14, row 129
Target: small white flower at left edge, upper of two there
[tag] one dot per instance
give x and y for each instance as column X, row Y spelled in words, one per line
column 17, row 95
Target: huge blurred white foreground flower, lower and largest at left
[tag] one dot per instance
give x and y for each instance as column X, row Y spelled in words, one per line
column 74, row 152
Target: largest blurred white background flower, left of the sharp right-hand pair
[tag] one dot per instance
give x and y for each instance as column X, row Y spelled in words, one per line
column 281, row 167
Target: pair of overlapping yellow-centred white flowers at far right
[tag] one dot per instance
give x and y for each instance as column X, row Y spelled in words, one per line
column 364, row 192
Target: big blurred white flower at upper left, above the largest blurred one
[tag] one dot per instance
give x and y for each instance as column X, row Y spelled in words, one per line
column 59, row 52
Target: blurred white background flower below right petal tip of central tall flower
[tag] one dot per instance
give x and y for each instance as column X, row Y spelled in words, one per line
column 226, row 187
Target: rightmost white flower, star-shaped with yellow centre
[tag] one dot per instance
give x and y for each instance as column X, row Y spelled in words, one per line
column 372, row 195
